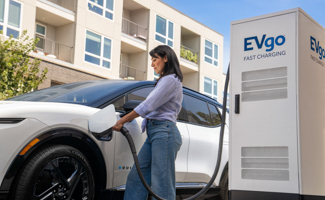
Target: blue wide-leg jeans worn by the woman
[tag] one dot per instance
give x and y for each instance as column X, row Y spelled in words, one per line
column 157, row 161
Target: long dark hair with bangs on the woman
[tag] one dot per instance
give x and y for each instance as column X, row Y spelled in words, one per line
column 172, row 64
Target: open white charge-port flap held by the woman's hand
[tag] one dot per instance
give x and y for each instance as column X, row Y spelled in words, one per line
column 101, row 122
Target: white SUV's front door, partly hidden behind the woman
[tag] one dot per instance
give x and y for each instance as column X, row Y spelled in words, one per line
column 123, row 160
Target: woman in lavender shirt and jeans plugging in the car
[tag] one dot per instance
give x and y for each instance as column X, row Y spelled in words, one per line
column 160, row 109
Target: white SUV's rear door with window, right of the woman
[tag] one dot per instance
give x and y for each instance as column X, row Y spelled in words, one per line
column 204, row 140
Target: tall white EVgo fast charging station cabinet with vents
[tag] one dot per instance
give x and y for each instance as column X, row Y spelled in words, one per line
column 277, row 115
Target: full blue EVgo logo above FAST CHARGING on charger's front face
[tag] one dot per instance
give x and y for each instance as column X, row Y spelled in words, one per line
column 269, row 42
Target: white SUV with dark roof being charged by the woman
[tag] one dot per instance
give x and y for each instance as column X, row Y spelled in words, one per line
column 48, row 152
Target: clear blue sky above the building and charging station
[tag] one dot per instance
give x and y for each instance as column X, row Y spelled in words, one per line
column 218, row 14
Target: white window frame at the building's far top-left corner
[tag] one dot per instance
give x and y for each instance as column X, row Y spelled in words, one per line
column 5, row 24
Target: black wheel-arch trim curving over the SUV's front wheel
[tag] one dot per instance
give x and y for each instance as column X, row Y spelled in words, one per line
column 61, row 135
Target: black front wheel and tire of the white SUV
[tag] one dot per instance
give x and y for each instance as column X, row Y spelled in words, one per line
column 56, row 172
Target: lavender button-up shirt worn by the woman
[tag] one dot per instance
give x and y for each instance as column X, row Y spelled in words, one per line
column 164, row 102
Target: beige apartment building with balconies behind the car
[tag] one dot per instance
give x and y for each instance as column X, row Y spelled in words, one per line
column 111, row 39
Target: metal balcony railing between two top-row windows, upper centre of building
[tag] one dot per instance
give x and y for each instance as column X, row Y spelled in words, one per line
column 134, row 30
